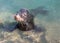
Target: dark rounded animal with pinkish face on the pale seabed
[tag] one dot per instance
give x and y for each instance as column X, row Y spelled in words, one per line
column 25, row 20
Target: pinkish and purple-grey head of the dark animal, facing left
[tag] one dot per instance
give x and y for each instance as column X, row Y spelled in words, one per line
column 22, row 15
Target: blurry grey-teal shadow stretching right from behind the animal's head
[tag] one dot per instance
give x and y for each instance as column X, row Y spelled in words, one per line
column 39, row 10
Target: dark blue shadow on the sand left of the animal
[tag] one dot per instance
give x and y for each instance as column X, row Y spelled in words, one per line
column 9, row 27
